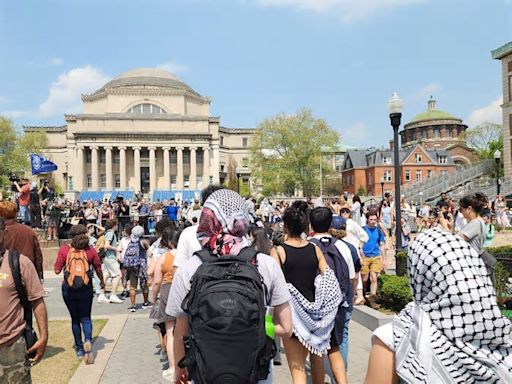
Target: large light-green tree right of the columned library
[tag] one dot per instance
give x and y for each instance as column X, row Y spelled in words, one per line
column 286, row 152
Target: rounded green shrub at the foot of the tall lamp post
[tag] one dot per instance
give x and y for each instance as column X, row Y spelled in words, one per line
column 393, row 292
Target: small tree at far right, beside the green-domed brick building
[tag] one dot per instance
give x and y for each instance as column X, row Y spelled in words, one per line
column 483, row 136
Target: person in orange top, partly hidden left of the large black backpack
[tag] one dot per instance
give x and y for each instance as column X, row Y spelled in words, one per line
column 162, row 279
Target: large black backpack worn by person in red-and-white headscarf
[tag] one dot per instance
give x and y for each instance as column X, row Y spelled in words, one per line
column 225, row 306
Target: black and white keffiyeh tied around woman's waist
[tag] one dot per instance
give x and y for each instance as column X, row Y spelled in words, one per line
column 313, row 322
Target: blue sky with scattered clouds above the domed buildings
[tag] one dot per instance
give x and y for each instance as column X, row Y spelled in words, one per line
column 343, row 59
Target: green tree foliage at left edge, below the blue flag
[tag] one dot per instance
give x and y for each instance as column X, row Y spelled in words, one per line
column 15, row 148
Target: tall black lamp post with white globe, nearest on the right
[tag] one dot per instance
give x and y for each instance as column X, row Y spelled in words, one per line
column 395, row 107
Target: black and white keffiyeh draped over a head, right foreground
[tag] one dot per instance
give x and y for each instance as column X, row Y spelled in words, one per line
column 453, row 330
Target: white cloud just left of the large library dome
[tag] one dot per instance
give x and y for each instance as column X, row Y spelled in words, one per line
column 64, row 94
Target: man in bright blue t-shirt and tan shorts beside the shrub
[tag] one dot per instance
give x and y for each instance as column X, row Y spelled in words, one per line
column 374, row 254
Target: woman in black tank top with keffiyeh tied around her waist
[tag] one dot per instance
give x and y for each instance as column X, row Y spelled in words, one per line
column 301, row 262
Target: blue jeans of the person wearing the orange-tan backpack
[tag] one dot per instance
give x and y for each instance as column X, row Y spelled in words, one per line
column 79, row 303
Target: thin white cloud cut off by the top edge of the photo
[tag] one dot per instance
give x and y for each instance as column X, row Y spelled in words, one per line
column 349, row 10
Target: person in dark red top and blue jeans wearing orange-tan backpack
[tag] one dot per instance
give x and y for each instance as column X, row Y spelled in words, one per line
column 79, row 300
